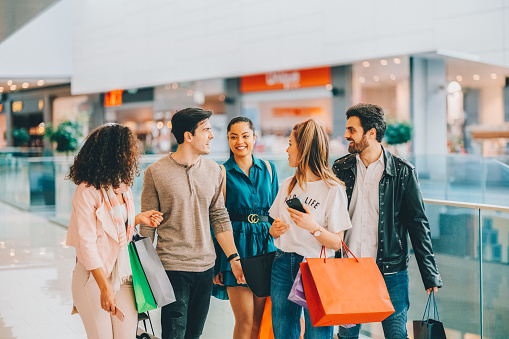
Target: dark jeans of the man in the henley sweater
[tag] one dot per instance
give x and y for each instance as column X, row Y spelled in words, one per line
column 185, row 318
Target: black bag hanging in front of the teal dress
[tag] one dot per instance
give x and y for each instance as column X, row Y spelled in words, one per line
column 258, row 270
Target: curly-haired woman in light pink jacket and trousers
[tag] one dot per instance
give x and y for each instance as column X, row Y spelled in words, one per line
column 101, row 225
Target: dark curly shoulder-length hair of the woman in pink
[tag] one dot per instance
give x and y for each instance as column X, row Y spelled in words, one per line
column 109, row 158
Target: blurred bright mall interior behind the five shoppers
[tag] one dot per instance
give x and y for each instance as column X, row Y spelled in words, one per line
column 439, row 69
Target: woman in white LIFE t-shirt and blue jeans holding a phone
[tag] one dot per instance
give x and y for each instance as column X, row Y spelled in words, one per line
column 301, row 235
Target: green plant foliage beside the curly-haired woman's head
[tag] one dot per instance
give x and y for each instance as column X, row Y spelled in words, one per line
column 66, row 135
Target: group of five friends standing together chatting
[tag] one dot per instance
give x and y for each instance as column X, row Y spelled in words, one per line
column 207, row 217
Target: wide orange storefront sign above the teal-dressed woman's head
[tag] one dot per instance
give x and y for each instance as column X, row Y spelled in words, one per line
column 299, row 78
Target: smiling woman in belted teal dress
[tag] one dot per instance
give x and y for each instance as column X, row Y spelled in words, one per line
column 251, row 186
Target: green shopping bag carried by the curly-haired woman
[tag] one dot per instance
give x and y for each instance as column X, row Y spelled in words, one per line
column 142, row 293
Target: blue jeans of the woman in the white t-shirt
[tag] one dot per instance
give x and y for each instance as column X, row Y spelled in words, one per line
column 286, row 314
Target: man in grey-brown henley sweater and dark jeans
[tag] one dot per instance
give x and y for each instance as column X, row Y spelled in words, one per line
column 186, row 188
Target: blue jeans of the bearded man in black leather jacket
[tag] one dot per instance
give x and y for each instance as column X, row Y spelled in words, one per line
column 395, row 325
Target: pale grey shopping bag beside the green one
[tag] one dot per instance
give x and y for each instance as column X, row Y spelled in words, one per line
column 154, row 271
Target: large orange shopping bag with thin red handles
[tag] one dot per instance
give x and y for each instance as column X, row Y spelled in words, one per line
column 345, row 290
